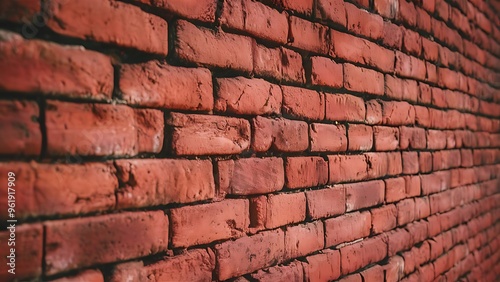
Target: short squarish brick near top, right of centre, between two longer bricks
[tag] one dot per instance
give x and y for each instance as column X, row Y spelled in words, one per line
column 307, row 35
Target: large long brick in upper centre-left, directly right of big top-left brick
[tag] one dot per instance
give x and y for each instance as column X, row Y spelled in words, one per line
column 216, row 49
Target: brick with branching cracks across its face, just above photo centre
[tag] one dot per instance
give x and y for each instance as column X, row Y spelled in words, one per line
column 247, row 96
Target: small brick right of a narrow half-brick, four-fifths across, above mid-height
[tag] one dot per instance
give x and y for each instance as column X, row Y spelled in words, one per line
column 397, row 113
